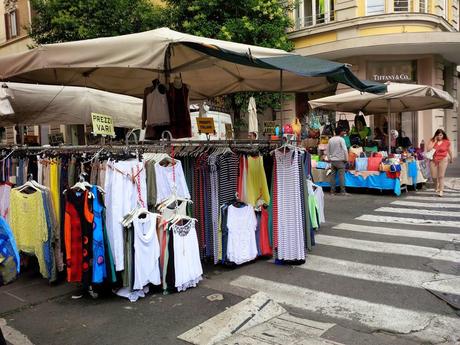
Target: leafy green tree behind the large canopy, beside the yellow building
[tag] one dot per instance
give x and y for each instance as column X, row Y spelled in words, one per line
column 258, row 22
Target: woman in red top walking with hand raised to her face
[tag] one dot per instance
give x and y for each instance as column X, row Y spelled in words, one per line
column 438, row 165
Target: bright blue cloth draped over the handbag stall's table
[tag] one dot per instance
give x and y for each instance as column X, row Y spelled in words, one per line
column 362, row 179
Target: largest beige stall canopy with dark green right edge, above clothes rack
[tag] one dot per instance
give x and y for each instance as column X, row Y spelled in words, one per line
column 127, row 64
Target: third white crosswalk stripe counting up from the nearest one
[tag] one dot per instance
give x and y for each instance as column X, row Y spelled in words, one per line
column 389, row 248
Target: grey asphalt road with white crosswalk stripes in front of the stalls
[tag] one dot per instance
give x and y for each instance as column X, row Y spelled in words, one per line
column 366, row 277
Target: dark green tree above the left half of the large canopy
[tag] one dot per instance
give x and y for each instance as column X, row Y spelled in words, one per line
column 72, row 20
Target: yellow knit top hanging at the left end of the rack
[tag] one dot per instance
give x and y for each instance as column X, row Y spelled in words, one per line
column 28, row 223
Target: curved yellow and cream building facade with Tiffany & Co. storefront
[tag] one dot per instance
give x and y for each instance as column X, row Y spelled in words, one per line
column 410, row 41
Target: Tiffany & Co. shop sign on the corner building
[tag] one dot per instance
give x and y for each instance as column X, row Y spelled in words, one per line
column 397, row 71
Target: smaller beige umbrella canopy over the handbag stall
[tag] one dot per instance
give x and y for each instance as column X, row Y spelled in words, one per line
column 398, row 98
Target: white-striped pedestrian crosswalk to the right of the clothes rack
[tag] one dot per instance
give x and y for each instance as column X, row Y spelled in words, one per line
column 365, row 244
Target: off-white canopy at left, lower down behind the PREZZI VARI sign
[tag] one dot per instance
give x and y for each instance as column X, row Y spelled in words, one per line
column 67, row 105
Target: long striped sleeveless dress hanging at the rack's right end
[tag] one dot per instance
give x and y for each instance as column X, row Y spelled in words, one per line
column 291, row 243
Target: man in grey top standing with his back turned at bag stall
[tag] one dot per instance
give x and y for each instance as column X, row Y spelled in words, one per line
column 338, row 154
